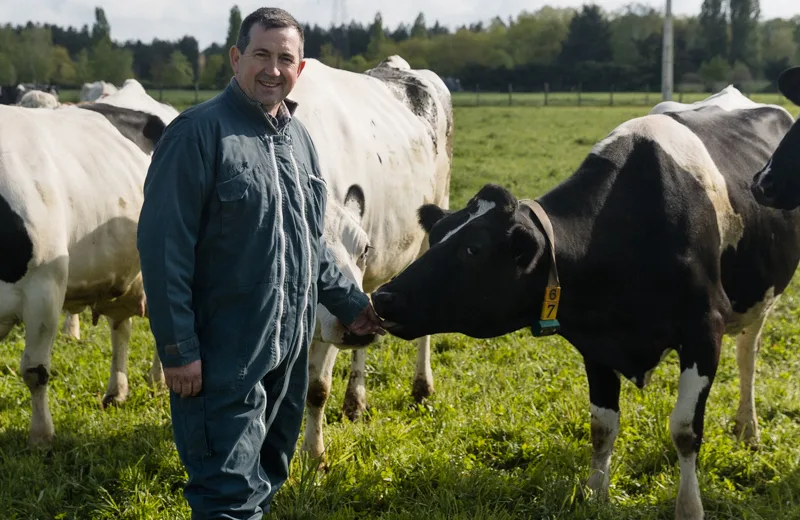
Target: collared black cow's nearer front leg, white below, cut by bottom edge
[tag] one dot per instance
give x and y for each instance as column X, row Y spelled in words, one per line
column 699, row 357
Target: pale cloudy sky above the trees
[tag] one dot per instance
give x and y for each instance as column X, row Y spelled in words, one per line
column 207, row 20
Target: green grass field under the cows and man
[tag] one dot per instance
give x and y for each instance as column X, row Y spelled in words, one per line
column 506, row 434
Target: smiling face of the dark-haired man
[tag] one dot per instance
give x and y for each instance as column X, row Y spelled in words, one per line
column 270, row 65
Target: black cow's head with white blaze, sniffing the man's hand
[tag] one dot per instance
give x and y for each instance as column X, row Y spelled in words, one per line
column 483, row 275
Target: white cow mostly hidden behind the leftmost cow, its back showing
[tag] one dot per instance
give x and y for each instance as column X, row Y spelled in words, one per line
column 133, row 96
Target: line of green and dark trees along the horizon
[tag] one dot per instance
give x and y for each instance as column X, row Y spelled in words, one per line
column 584, row 48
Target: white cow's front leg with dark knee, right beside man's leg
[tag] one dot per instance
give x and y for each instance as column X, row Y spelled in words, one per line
column 321, row 359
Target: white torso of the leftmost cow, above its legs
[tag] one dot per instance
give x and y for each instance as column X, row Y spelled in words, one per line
column 76, row 184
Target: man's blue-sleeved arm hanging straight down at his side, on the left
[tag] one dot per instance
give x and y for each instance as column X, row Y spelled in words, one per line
column 177, row 185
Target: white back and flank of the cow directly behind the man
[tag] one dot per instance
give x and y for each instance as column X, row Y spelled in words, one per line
column 366, row 135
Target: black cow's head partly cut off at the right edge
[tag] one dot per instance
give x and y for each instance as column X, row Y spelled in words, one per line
column 778, row 184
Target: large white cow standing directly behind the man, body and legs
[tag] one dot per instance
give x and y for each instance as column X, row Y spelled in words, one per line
column 384, row 140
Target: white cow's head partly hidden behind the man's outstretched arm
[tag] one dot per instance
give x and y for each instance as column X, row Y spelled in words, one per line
column 349, row 245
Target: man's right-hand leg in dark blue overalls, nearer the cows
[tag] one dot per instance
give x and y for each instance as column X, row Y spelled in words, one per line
column 286, row 388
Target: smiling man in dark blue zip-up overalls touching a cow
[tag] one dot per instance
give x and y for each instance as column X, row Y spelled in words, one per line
column 233, row 261
